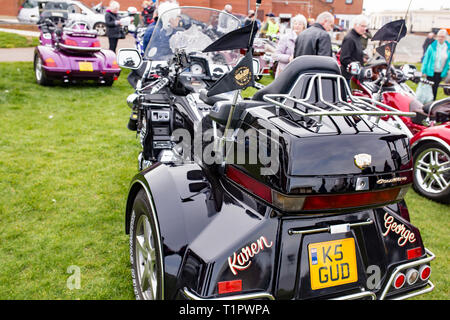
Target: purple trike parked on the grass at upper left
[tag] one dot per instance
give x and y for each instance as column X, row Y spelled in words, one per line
column 69, row 51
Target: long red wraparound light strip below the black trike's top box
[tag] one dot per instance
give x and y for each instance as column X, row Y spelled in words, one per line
column 290, row 203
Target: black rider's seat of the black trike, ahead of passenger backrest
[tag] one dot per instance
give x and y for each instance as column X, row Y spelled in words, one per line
column 221, row 110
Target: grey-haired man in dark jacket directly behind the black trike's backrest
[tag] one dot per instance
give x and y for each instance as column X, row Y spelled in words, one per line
column 315, row 40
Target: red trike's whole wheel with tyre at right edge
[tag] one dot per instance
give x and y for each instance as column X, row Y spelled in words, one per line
column 432, row 172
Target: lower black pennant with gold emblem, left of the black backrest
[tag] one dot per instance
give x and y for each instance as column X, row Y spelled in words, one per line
column 240, row 77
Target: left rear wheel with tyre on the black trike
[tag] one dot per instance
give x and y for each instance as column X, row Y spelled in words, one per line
column 145, row 250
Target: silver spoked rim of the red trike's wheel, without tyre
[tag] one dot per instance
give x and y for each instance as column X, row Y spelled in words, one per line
column 432, row 170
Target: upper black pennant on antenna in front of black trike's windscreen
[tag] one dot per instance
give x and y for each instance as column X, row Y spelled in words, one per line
column 236, row 39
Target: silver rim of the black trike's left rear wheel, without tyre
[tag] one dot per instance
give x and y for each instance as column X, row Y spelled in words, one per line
column 146, row 258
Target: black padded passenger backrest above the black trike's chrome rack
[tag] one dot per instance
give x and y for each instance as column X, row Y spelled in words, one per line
column 298, row 66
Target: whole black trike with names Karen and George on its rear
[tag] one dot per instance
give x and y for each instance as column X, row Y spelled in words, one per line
column 296, row 193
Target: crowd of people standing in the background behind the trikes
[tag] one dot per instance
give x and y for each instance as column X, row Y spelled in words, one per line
column 300, row 37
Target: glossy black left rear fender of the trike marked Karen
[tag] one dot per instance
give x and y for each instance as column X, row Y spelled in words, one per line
column 181, row 214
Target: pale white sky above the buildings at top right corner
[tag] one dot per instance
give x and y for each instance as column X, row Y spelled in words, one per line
column 381, row 5
